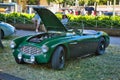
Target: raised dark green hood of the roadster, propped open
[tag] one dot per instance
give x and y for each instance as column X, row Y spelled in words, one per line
column 51, row 22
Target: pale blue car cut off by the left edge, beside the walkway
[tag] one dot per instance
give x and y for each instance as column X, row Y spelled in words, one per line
column 6, row 29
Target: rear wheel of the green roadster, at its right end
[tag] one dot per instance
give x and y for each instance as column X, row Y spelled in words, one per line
column 101, row 46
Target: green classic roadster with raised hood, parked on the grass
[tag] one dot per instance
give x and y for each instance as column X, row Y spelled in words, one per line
column 58, row 43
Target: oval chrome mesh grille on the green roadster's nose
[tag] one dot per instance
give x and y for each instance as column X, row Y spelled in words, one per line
column 30, row 50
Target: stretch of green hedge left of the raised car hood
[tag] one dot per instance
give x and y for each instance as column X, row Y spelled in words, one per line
column 16, row 18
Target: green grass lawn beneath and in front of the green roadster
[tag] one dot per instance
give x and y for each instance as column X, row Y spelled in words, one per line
column 103, row 67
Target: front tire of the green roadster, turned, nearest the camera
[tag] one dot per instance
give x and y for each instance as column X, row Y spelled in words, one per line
column 58, row 58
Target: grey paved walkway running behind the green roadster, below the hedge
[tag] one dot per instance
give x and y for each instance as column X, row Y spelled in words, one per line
column 113, row 40
